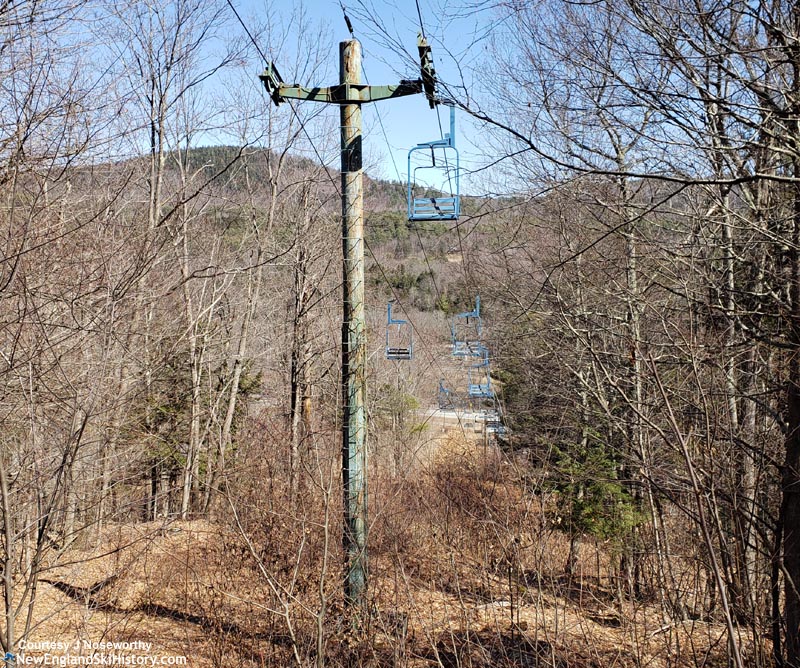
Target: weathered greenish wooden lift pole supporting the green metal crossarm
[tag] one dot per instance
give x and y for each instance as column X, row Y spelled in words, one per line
column 354, row 346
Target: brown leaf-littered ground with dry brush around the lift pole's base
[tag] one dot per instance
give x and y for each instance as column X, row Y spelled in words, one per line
column 465, row 571
